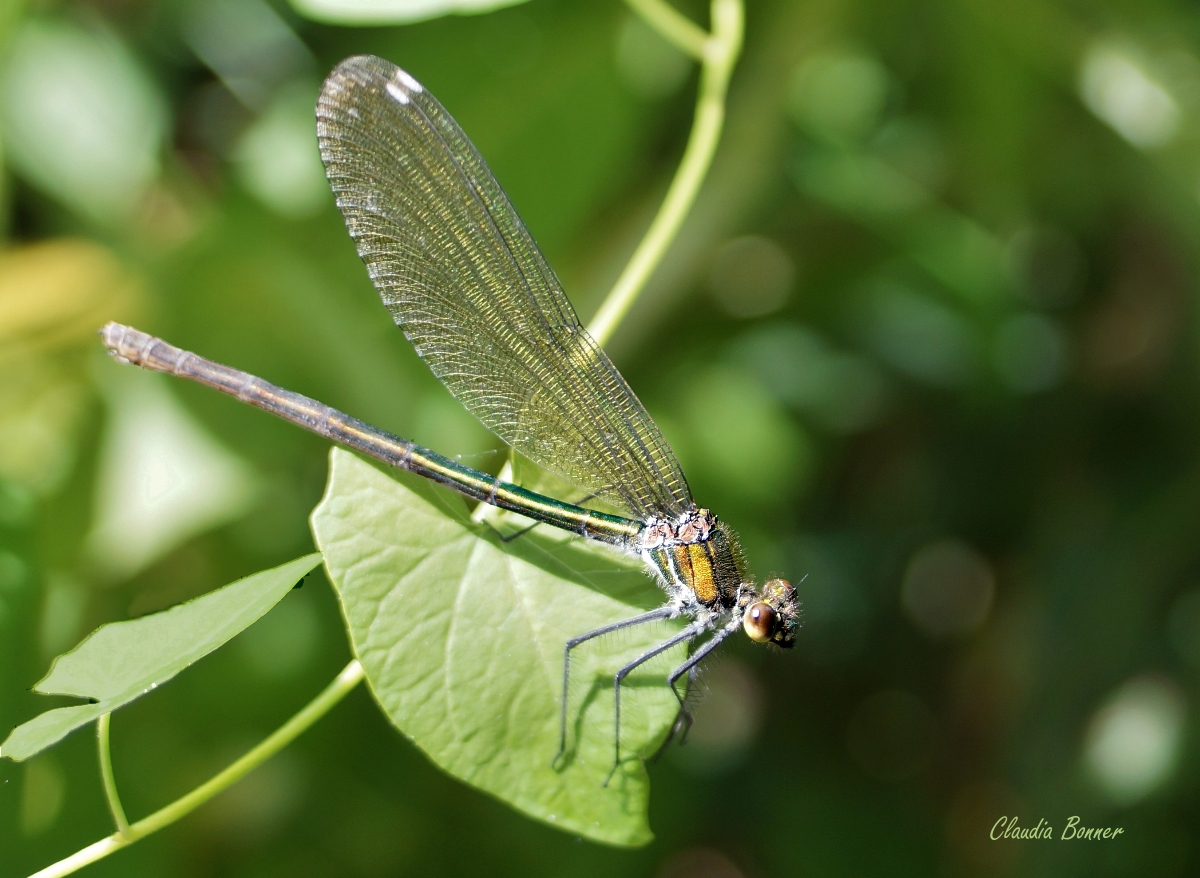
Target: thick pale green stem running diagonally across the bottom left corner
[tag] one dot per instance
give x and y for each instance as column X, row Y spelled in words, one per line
column 289, row 732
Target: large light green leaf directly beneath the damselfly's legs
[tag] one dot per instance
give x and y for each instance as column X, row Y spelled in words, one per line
column 461, row 638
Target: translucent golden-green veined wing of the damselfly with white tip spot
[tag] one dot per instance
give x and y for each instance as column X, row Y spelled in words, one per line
column 466, row 282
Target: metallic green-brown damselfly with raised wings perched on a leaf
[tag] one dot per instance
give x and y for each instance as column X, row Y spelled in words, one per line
column 467, row 285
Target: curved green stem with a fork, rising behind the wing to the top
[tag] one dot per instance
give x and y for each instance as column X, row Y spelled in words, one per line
column 718, row 53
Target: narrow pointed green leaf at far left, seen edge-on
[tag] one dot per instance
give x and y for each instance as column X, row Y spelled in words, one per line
column 123, row 661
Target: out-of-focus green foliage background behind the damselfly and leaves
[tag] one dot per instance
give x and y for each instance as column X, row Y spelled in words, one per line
column 938, row 291
